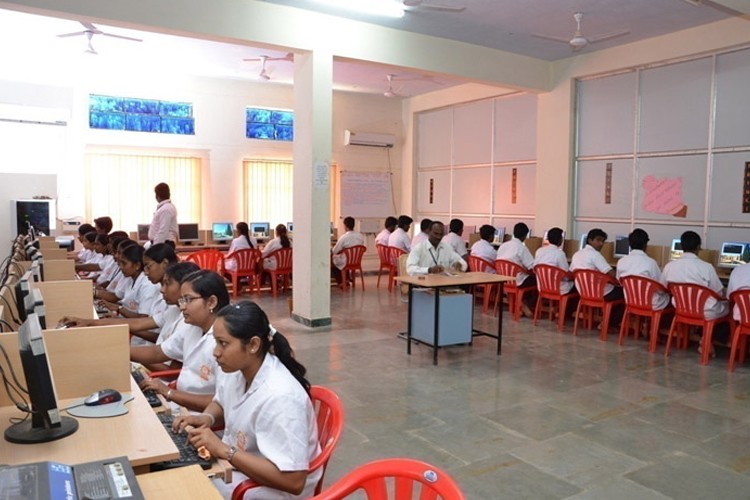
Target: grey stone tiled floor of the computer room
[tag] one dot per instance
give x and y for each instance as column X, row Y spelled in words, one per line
column 554, row 417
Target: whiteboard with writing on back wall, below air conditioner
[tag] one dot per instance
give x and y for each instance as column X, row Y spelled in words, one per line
column 366, row 194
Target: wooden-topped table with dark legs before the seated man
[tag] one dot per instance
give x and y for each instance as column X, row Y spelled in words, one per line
column 439, row 282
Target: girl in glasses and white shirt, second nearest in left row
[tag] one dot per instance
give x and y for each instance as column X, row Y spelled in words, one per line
column 203, row 295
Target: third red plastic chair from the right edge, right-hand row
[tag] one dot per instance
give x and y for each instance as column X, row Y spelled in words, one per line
column 639, row 295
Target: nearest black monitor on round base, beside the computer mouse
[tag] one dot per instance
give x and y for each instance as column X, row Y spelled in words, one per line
column 46, row 423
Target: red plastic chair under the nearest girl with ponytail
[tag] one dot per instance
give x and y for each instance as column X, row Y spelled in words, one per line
column 329, row 413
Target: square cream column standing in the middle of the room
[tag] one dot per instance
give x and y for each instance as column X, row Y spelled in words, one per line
column 313, row 103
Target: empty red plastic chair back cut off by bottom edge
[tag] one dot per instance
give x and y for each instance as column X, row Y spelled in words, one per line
column 411, row 479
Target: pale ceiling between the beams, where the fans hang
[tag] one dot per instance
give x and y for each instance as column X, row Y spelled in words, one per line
column 33, row 51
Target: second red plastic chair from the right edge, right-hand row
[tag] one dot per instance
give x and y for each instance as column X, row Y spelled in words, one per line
column 689, row 302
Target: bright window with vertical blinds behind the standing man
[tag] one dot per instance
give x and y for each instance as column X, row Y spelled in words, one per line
column 122, row 187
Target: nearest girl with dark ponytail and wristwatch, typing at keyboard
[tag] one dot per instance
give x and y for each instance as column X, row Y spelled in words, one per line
column 270, row 432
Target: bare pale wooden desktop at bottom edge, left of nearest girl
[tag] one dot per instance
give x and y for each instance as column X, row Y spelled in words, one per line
column 184, row 482
